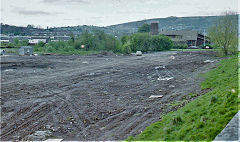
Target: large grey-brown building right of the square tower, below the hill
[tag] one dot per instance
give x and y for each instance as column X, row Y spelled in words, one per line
column 191, row 38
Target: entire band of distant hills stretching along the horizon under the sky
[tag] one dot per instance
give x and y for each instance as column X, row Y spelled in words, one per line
column 199, row 23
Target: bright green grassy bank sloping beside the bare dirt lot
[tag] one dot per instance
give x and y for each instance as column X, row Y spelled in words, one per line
column 207, row 115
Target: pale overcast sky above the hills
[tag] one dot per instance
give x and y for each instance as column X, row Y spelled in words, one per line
column 105, row 12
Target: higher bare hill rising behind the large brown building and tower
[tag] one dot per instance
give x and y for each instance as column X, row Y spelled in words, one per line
column 199, row 23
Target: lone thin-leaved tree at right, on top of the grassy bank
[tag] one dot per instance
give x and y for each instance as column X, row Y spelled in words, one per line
column 224, row 34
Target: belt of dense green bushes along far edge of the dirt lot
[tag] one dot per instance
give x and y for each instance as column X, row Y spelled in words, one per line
column 99, row 41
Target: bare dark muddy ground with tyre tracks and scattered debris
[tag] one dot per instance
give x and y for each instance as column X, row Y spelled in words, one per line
column 95, row 97
